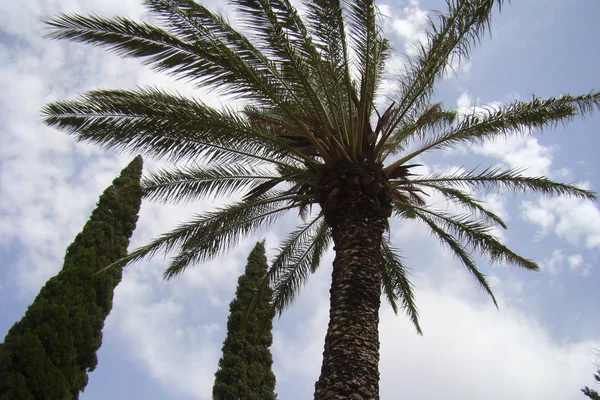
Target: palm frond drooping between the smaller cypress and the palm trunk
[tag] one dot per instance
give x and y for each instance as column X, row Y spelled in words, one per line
column 298, row 257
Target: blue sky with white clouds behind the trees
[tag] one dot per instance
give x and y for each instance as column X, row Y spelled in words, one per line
column 163, row 338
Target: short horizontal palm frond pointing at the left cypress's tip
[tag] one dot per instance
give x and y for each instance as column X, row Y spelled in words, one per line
column 178, row 185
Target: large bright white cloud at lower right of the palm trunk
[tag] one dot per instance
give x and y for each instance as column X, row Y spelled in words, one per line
column 473, row 351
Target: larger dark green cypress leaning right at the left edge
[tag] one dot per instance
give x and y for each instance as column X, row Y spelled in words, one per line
column 47, row 354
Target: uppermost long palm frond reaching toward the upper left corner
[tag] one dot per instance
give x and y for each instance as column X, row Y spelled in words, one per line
column 198, row 62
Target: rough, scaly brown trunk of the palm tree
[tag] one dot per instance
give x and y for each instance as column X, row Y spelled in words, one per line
column 351, row 356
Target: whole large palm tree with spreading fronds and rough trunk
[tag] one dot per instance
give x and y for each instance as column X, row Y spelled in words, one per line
column 310, row 139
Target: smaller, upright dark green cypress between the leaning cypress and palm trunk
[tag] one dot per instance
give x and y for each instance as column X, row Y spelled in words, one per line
column 245, row 367
